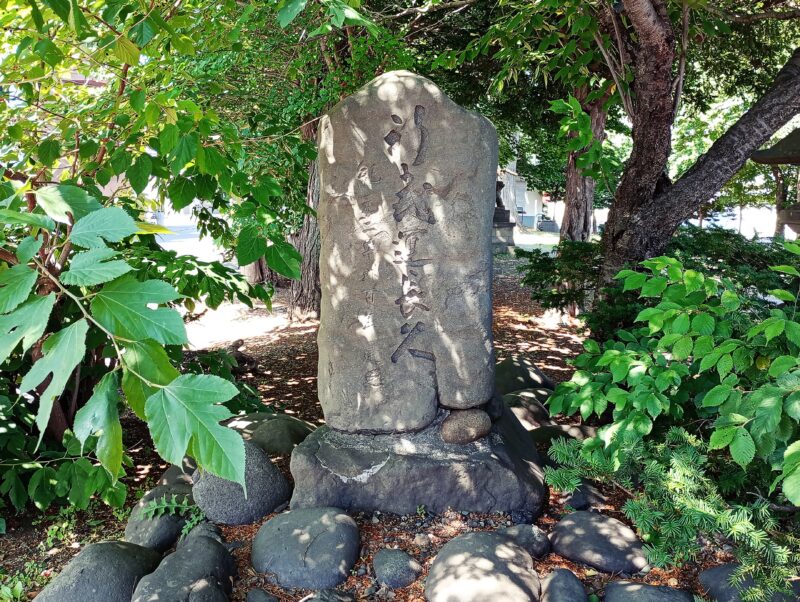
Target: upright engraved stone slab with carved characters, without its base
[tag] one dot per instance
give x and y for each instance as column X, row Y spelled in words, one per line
column 405, row 270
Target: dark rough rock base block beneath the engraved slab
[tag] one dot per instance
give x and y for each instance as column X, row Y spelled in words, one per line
column 400, row 472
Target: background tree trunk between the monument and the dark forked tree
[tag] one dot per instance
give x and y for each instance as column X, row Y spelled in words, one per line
column 579, row 197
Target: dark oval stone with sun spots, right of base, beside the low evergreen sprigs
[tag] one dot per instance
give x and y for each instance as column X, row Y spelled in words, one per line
column 600, row 541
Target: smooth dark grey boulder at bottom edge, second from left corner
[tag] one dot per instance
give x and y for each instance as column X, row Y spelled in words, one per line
column 200, row 570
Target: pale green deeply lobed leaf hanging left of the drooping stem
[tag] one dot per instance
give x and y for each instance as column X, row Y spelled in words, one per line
column 62, row 352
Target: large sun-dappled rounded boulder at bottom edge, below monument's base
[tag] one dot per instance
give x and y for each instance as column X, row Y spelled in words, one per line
column 481, row 566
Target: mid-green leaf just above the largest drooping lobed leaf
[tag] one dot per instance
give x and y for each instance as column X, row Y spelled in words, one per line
column 145, row 360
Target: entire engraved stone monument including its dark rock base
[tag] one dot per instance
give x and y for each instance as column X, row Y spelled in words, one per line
column 406, row 359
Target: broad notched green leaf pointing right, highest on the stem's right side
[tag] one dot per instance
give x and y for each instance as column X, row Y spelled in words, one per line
column 121, row 306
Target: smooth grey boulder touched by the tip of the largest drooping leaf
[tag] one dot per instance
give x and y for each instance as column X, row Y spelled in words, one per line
column 224, row 501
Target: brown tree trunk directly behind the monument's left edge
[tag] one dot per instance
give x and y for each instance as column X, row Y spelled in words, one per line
column 305, row 297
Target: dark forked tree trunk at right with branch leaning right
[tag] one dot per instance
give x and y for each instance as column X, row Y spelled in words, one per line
column 648, row 209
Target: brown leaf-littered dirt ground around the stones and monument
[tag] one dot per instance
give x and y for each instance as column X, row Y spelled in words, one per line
column 283, row 370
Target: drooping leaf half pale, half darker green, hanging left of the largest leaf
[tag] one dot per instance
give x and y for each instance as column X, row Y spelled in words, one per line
column 100, row 416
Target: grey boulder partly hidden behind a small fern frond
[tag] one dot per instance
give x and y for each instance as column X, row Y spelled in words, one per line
column 162, row 531
